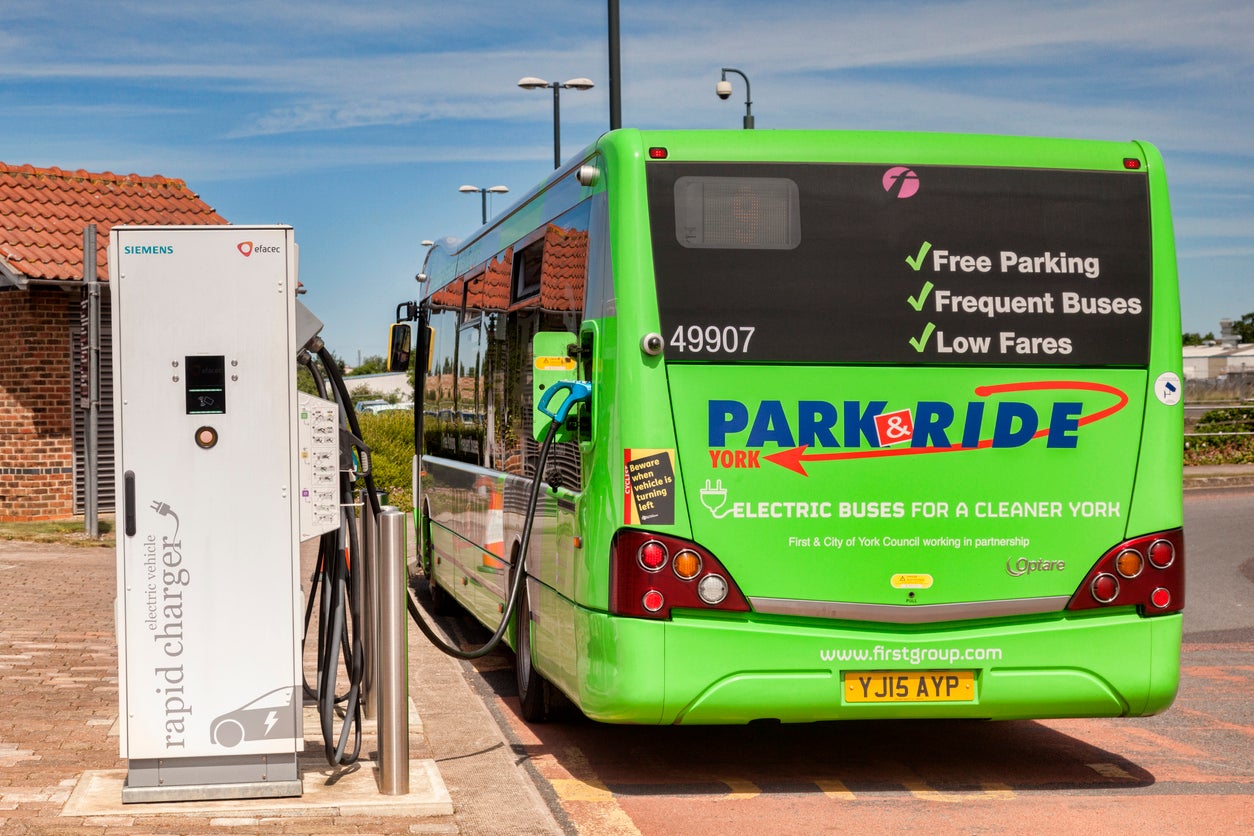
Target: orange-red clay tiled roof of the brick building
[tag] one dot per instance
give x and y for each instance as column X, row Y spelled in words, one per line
column 43, row 212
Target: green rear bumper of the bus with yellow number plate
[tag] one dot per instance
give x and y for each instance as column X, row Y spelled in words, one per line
column 732, row 671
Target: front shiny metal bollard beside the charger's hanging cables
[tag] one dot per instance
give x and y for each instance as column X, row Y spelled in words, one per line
column 393, row 656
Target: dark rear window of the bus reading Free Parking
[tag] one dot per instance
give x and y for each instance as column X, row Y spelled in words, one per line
column 902, row 265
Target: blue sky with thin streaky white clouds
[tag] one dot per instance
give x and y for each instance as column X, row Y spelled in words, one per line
column 358, row 122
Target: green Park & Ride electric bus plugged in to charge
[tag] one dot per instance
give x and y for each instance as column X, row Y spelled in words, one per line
column 883, row 426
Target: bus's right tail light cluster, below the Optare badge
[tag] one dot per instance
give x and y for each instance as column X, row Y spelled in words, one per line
column 1146, row 572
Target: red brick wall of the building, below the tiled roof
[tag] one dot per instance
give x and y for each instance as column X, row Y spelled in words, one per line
column 37, row 437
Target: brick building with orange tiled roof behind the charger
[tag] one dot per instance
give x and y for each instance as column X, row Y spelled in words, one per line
column 43, row 324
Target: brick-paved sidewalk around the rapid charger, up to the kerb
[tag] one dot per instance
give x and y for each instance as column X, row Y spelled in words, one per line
column 58, row 713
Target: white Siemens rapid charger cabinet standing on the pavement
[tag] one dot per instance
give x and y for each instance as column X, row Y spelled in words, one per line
column 209, row 610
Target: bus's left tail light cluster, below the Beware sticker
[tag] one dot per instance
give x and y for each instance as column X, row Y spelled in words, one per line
column 654, row 573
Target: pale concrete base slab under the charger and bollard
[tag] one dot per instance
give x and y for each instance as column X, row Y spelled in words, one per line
column 327, row 793
